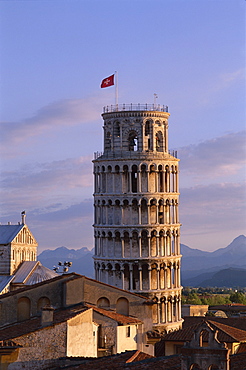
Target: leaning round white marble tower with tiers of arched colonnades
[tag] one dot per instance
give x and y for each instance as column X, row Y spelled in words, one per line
column 136, row 197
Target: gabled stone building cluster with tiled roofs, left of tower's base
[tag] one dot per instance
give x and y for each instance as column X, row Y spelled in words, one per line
column 72, row 315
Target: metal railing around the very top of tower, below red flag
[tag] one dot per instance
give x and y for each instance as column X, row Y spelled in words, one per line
column 135, row 107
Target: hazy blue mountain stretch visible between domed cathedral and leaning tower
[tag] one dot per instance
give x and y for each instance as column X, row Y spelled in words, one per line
column 81, row 259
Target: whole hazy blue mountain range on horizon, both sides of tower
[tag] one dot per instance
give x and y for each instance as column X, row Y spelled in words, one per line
column 198, row 267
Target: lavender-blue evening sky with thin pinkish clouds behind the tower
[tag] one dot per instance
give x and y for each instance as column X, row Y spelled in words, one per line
column 53, row 57
